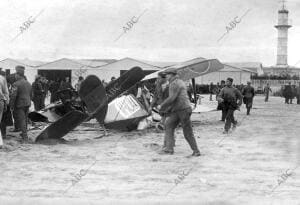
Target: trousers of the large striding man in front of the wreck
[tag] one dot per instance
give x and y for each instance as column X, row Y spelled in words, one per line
column 172, row 121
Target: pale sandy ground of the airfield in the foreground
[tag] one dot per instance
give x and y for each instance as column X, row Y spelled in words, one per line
column 244, row 167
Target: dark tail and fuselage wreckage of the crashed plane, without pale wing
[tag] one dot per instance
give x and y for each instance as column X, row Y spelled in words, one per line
column 104, row 104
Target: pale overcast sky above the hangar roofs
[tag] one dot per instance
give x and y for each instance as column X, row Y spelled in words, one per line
column 169, row 30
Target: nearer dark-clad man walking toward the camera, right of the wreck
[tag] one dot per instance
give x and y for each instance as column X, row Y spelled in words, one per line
column 229, row 95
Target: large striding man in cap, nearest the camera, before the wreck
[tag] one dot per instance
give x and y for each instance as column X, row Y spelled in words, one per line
column 179, row 111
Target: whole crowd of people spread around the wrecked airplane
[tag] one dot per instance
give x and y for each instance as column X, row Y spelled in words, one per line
column 171, row 97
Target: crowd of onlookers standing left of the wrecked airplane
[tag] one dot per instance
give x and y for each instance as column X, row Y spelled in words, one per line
column 16, row 94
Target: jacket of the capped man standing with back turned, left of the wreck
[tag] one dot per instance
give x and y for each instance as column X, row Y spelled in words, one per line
column 21, row 94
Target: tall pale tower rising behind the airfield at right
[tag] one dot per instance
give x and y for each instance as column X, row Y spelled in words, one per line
column 282, row 27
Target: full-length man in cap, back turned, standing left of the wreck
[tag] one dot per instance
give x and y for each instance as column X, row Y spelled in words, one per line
column 21, row 100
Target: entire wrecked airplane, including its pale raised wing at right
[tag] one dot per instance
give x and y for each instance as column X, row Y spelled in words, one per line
column 110, row 106
